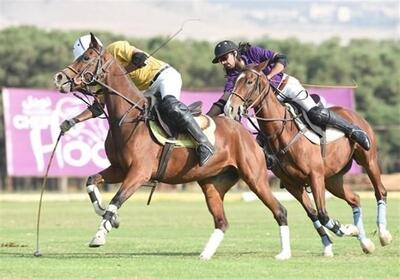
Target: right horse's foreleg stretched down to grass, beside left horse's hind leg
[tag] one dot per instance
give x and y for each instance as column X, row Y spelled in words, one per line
column 301, row 195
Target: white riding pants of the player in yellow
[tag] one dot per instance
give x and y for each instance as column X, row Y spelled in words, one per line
column 169, row 82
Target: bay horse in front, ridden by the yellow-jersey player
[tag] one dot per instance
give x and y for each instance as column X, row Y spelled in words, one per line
column 135, row 154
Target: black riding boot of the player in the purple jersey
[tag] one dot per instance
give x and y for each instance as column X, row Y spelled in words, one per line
column 323, row 116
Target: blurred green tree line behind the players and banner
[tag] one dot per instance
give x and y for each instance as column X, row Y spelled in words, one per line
column 29, row 57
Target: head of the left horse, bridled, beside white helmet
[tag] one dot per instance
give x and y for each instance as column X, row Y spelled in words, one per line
column 84, row 72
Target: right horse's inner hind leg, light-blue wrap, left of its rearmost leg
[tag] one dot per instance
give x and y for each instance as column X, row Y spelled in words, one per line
column 336, row 186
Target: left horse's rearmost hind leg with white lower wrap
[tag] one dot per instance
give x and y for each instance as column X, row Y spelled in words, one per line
column 259, row 185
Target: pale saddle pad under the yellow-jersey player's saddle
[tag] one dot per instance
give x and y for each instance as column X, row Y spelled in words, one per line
column 184, row 140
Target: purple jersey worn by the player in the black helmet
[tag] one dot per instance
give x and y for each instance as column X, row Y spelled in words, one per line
column 255, row 55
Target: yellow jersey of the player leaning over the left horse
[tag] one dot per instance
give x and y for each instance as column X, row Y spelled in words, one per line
column 123, row 51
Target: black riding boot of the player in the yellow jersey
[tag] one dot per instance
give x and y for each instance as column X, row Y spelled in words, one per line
column 179, row 115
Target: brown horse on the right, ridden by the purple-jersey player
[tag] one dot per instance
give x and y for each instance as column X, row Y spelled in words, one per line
column 299, row 162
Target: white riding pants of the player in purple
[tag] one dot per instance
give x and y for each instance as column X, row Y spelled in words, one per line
column 293, row 91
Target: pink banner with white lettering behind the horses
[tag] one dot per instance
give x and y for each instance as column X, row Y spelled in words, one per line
column 32, row 119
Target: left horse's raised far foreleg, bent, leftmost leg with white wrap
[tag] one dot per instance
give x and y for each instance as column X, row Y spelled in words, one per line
column 109, row 175
